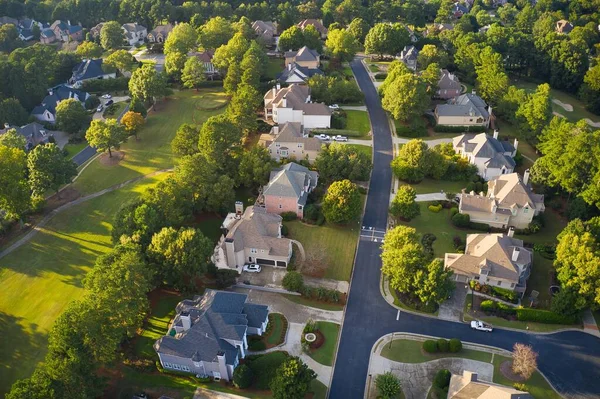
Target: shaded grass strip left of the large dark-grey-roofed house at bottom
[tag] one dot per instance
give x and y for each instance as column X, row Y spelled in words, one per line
column 156, row 324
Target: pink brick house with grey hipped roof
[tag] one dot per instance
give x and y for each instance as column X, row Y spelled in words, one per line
column 288, row 189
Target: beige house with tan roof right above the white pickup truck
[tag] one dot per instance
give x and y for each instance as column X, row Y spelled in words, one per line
column 499, row 260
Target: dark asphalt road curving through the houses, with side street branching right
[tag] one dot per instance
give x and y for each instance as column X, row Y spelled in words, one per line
column 570, row 360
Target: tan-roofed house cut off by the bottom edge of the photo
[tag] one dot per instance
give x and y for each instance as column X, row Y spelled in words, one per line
column 468, row 386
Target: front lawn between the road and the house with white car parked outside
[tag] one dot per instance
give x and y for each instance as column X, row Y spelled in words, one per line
column 339, row 240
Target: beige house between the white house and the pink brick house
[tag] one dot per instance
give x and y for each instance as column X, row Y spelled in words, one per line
column 288, row 141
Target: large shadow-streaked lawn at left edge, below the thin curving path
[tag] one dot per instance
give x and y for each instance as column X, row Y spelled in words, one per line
column 40, row 278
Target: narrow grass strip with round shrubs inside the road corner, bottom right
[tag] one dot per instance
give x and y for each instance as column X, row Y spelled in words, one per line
column 409, row 351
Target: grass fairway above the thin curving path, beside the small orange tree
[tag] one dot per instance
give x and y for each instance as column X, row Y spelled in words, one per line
column 153, row 149
